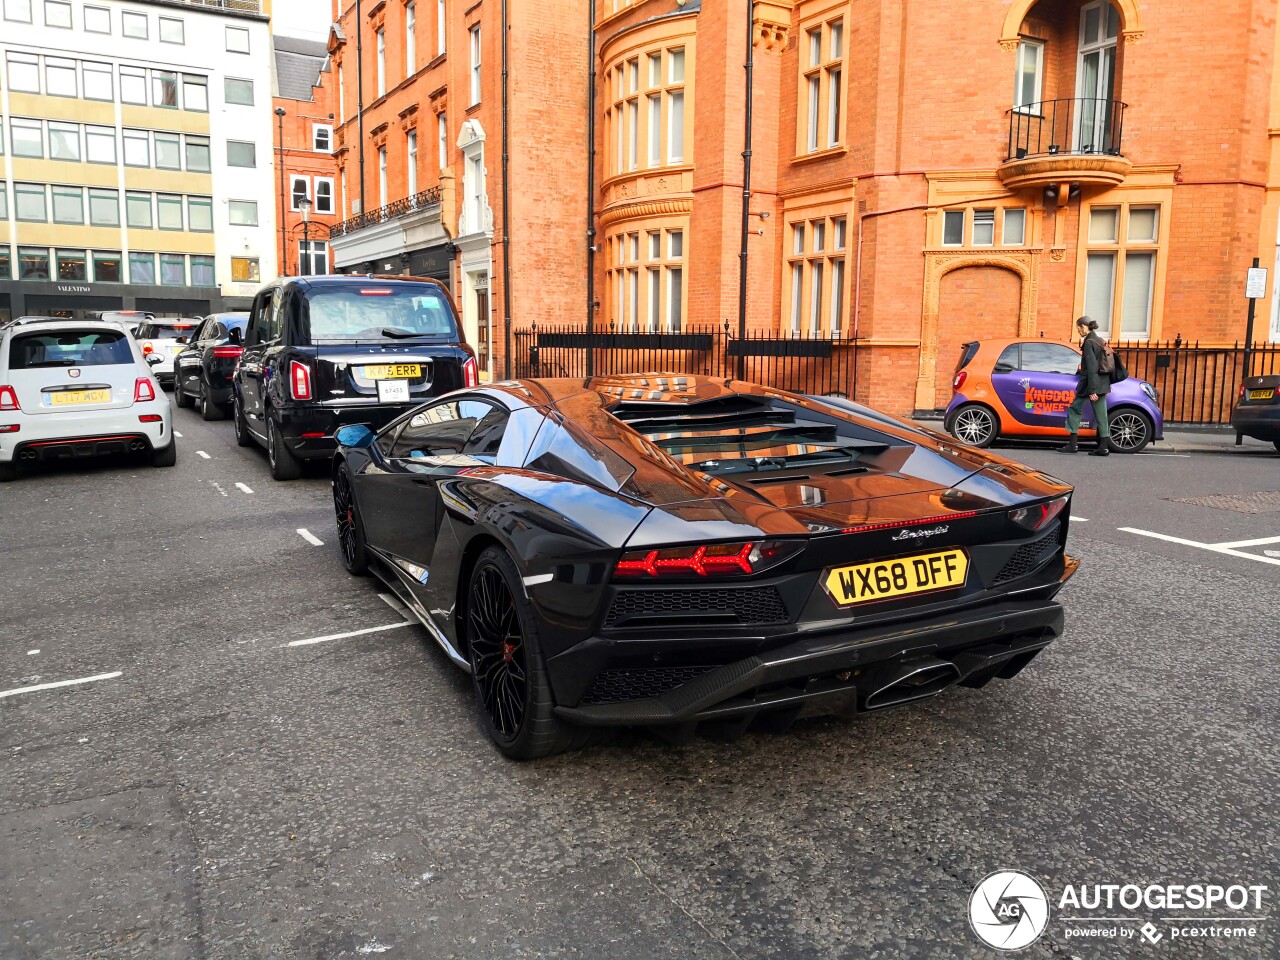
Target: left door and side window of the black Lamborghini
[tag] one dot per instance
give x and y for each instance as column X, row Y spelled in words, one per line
column 401, row 502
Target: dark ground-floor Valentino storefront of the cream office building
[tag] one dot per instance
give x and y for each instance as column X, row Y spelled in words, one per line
column 84, row 301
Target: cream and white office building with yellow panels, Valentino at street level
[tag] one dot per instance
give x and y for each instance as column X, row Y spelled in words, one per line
column 135, row 156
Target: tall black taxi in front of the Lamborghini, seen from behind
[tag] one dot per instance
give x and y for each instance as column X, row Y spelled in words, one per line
column 322, row 353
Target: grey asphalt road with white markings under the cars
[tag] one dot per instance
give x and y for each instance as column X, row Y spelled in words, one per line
column 228, row 796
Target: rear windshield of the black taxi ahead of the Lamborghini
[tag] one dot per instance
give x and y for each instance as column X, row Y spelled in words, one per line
column 377, row 312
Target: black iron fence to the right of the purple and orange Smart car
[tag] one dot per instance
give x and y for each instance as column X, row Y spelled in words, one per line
column 1197, row 385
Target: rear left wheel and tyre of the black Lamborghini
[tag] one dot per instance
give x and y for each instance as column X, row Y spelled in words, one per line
column 506, row 659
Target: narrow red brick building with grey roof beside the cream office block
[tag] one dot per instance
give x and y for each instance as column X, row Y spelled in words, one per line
column 307, row 202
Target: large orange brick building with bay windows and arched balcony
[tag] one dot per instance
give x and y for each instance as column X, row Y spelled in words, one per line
column 918, row 180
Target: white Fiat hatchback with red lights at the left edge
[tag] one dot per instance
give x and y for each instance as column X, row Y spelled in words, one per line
column 79, row 388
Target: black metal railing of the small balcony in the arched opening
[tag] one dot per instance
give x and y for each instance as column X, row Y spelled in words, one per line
column 1081, row 126
